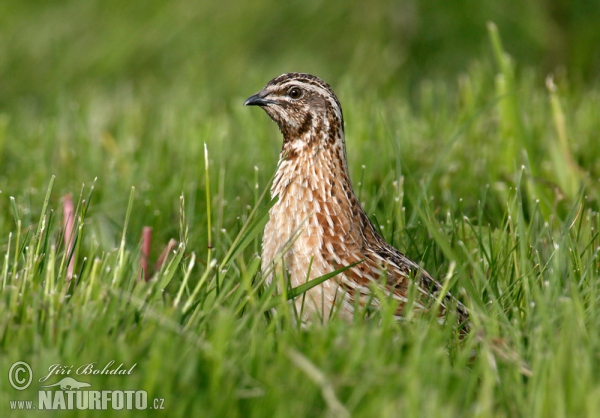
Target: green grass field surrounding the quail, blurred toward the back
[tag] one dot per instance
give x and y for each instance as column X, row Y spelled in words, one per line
column 471, row 160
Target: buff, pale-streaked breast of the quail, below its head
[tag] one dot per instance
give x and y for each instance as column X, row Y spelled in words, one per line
column 309, row 226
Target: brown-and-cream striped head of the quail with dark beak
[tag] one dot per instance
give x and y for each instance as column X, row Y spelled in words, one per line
column 303, row 106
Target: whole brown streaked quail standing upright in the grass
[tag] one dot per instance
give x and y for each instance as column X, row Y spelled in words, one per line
column 317, row 224
